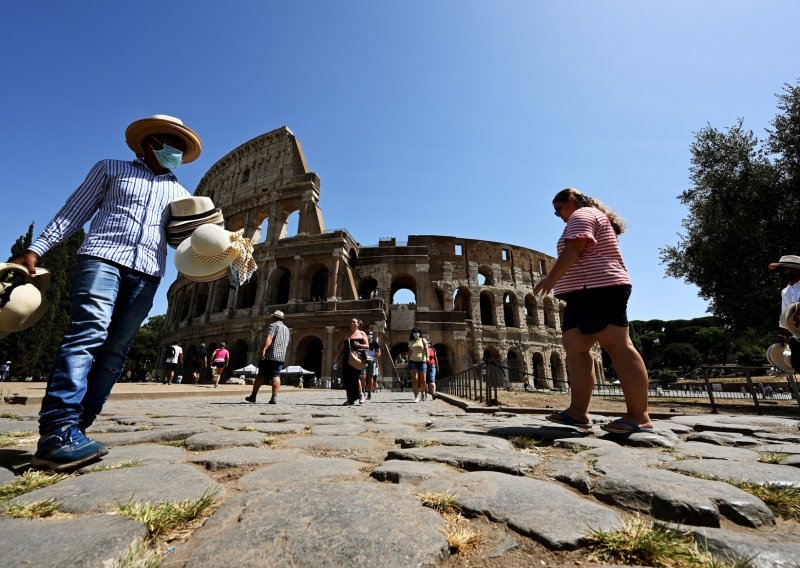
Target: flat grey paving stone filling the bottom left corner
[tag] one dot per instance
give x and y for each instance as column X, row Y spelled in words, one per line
column 88, row 542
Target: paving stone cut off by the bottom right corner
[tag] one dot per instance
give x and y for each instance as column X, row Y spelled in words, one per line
column 756, row 551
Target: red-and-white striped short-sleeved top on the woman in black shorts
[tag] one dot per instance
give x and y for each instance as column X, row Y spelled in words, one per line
column 600, row 264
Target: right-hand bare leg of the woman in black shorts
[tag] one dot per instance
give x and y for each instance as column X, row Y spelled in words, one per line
column 630, row 369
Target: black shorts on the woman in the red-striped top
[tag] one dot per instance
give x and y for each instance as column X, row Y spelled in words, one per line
column 591, row 310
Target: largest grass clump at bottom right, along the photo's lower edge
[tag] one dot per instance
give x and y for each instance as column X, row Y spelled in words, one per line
column 639, row 543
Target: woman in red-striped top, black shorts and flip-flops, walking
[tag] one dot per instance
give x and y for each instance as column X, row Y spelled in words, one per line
column 591, row 278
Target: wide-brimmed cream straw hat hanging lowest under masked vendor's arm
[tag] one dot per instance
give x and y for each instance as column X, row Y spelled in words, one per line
column 206, row 255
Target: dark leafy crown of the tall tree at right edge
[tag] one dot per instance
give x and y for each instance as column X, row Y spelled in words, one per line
column 741, row 216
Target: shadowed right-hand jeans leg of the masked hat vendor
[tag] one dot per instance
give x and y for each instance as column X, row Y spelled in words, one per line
column 133, row 303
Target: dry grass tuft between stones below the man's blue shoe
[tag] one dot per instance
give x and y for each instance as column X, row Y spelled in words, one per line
column 168, row 520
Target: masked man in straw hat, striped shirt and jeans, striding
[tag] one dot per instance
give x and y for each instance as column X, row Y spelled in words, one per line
column 120, row 266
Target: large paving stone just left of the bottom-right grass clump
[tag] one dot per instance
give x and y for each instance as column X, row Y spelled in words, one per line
column 528, row 506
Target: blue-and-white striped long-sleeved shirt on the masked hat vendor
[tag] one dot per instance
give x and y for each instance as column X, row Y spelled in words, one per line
column 132, row 209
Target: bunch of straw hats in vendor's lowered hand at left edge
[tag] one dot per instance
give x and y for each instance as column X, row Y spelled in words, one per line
column 22, row 299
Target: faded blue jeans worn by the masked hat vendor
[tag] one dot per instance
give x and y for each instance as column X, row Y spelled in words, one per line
column 109, row 303
